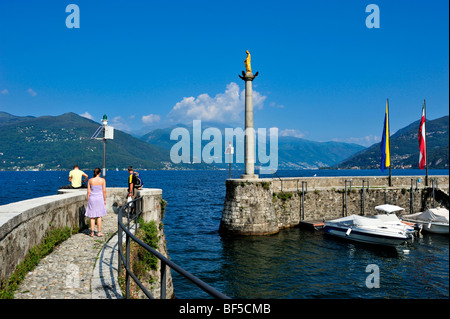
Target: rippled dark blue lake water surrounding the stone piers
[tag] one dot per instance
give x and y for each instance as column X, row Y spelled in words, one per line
column 292, row 264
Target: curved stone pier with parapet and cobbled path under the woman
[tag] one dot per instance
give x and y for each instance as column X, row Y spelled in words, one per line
column 24, row 224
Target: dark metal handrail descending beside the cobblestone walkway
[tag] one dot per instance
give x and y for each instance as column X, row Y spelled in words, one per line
column 164, row 261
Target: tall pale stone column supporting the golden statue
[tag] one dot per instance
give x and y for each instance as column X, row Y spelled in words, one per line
column 249, row 141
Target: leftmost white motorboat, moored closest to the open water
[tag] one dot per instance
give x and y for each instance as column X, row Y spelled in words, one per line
column 367, row 230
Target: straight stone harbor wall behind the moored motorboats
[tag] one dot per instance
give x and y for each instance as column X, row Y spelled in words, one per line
column 264, row 206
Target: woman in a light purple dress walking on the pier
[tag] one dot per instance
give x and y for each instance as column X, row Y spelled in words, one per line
column 96, row 196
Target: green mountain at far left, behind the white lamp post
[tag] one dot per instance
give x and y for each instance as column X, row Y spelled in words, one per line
column 60, row 142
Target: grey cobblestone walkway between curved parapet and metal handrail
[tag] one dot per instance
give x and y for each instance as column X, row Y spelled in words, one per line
column 68, row 272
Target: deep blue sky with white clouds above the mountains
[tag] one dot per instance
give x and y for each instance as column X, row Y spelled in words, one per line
column 323, row 75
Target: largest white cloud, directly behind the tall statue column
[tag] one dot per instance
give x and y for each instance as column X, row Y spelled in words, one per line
column 224, row 107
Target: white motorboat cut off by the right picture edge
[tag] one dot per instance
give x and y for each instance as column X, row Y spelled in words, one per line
column 433, row 220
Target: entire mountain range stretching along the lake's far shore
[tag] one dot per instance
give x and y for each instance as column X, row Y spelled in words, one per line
column 59, row 142
